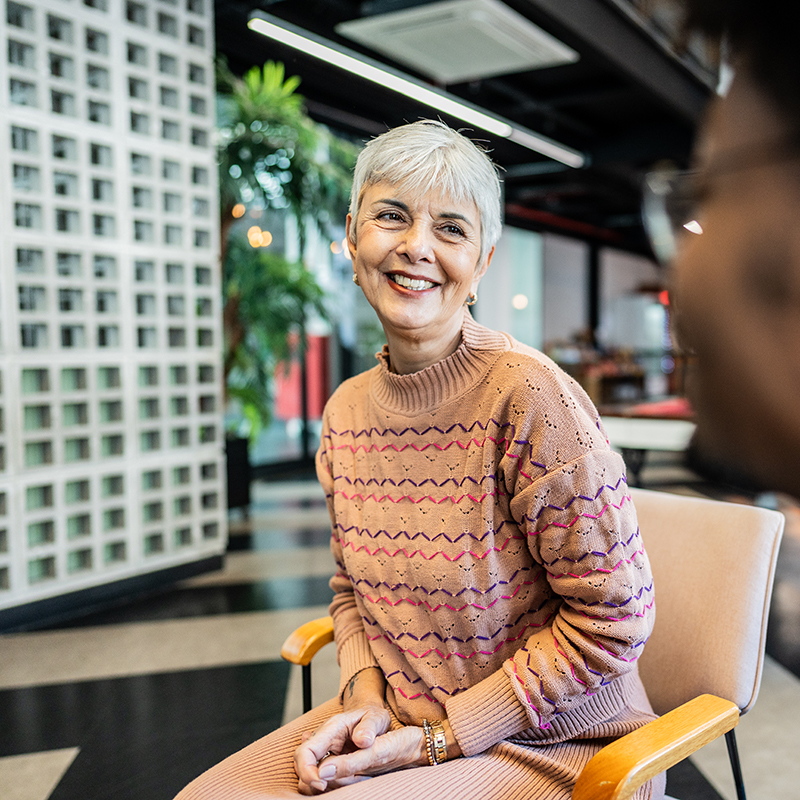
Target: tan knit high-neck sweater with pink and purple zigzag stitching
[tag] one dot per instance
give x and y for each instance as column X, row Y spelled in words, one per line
column 489, row 559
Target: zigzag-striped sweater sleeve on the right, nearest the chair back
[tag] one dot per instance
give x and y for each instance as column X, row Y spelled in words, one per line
column 582, row 532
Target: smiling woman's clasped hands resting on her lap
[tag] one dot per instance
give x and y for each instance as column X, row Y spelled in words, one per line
column 354, row 746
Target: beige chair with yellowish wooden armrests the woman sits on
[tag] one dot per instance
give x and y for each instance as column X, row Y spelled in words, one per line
column 713, row 565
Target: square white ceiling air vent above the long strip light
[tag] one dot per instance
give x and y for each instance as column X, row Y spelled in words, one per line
column 460, row 40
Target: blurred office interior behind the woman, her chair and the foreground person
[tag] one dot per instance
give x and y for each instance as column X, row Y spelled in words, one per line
column 176, row 307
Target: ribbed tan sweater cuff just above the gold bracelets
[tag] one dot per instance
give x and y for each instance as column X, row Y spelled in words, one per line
column 485, row 714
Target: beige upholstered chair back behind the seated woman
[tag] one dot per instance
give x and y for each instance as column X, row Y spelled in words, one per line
column 713, row 566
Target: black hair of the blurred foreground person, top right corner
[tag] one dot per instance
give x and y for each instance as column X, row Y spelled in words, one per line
column 762, row 33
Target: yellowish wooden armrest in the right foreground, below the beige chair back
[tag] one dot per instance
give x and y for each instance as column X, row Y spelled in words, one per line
column 624, row 765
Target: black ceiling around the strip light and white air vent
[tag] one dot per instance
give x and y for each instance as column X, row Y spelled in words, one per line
column 627, row 102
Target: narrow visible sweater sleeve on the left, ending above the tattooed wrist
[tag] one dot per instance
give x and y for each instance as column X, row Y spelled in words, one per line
column 352, row 647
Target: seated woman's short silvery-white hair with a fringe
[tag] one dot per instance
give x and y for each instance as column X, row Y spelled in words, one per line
column 428, row 155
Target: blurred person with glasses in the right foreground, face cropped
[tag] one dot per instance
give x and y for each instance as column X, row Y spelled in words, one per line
column 736, row 285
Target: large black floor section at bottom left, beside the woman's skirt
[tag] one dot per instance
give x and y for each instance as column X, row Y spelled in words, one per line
column 144, row 738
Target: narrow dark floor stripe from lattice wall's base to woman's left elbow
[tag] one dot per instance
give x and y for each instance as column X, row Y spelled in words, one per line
column 181, row 602
